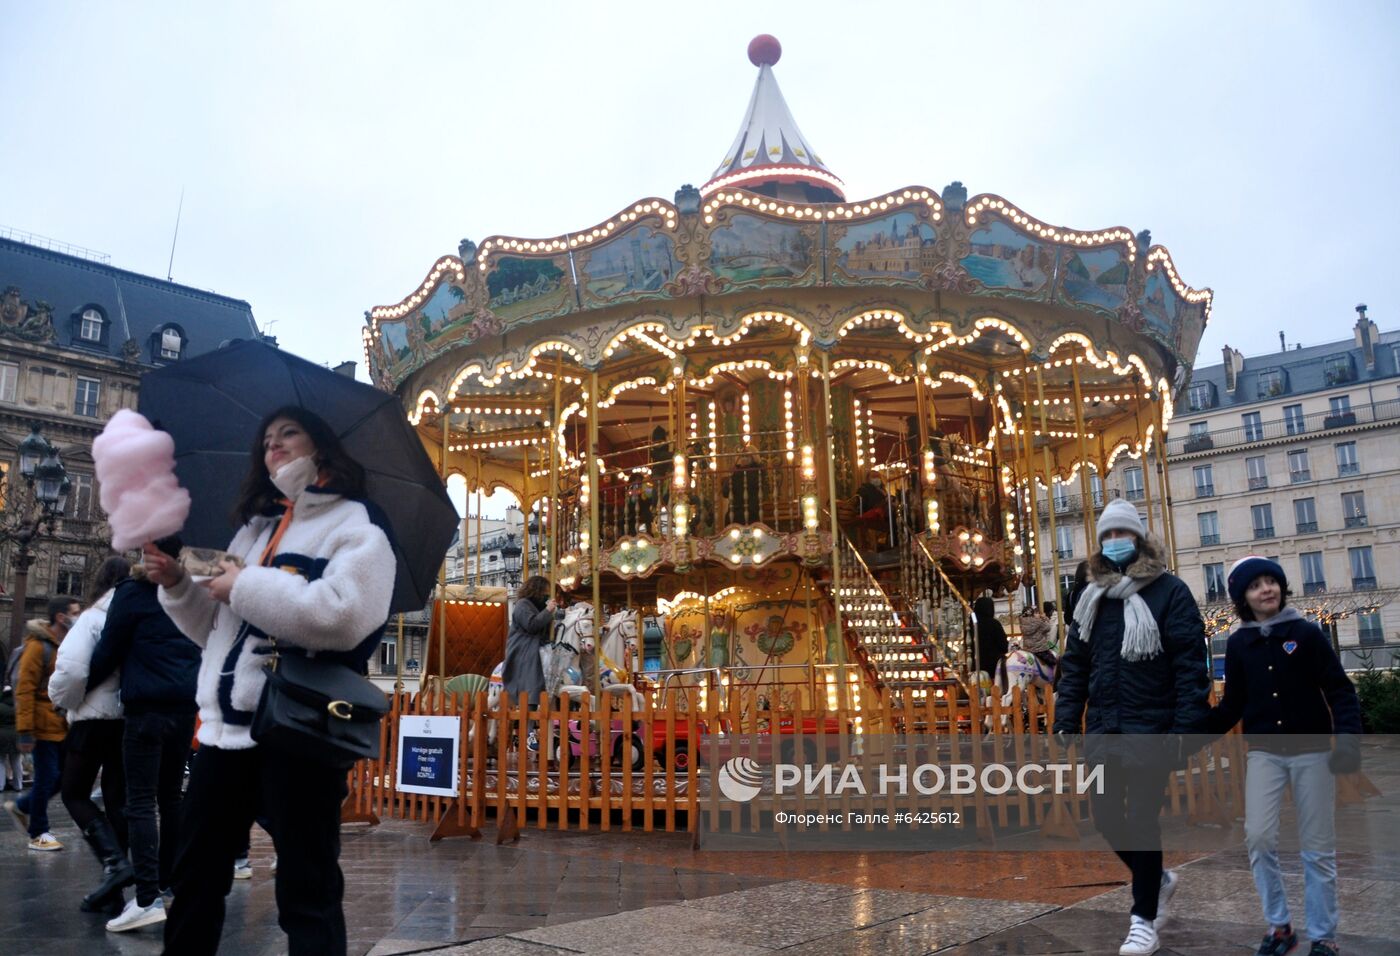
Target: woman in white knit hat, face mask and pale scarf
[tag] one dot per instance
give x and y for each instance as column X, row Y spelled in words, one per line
column 1136, row 663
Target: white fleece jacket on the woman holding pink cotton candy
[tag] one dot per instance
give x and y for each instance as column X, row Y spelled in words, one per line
column 327, row 590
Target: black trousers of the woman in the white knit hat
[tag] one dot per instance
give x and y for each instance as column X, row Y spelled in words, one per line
column 1129, row 817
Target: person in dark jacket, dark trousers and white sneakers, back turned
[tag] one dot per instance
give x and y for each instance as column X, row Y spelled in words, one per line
column 159, row 667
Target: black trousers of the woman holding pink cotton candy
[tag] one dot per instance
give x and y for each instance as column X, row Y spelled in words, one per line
column 302, row 803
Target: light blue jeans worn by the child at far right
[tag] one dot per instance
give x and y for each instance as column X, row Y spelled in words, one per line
column 1314, row 797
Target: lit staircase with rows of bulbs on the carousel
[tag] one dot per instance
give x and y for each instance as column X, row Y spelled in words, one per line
column 887, row 629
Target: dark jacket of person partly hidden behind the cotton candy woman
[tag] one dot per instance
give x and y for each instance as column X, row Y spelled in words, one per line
column 159, row 664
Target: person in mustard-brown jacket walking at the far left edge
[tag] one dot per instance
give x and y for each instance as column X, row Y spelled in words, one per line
column 40, row 729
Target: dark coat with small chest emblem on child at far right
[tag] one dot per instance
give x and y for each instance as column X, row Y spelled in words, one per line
column 1289, row 687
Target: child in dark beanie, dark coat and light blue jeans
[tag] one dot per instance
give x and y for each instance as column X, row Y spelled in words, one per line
column 1284, row 681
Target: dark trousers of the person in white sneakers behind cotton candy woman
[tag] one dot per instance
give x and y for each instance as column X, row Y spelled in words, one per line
column 155, row 747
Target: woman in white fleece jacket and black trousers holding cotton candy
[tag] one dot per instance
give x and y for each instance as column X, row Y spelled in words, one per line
column 317, row 576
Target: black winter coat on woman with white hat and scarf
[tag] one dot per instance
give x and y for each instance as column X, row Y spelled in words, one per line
column 1164, row 695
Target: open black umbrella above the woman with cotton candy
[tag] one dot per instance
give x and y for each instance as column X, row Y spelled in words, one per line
column 212, row 407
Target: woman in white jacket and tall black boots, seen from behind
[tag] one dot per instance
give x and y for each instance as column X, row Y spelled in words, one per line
column 94, row 745
